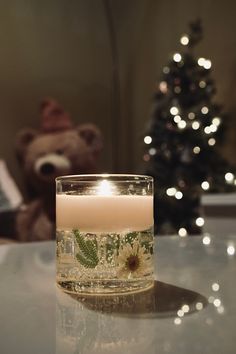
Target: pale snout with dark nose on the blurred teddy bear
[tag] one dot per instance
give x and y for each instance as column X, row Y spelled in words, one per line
column 52, row 165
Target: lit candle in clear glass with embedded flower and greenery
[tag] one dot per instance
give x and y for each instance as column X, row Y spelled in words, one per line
column 104, row 233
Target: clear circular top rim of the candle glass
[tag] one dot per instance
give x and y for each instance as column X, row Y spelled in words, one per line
column 116, row 177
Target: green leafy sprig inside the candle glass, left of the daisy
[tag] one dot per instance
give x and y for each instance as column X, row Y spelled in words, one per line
column 88, row 251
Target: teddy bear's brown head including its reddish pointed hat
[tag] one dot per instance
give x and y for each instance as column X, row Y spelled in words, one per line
column 57, row 148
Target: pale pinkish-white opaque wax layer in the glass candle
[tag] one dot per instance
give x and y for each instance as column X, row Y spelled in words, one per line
column 97, row 213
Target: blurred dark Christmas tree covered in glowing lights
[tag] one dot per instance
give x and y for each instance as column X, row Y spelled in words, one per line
column 181, row 140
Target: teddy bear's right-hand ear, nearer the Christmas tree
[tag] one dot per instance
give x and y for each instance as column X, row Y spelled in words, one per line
column 92, row 136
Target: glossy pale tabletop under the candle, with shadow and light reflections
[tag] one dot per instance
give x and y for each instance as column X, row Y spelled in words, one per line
column 36, row 317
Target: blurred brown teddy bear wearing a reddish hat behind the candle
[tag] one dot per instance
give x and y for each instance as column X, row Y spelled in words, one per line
column 57, row 148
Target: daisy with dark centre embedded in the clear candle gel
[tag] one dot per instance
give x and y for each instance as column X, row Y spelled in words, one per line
column 133, row 261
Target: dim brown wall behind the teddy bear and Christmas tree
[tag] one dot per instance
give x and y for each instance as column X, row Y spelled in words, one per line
column 63, row 49
